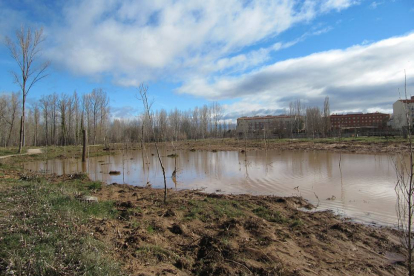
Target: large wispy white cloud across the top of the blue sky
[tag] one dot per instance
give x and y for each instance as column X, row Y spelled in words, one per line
column 135, row 41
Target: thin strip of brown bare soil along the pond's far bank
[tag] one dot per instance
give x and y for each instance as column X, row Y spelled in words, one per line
column 353, row 146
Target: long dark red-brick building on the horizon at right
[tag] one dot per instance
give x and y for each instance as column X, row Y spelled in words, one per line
column 365, row 121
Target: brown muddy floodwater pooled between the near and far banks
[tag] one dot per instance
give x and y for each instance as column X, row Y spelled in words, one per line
column 362, row 187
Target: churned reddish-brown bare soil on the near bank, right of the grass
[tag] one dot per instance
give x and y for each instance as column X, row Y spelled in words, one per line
column 210, row 234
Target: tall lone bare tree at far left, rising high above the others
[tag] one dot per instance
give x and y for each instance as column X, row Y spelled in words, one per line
column 26, row 52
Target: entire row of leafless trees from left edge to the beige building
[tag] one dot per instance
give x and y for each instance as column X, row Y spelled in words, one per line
column 58, row 119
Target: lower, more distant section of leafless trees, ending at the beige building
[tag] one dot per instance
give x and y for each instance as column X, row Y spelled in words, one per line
column 198, row 123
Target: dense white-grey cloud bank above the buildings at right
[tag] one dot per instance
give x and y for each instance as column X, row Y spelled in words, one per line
column 356, row 78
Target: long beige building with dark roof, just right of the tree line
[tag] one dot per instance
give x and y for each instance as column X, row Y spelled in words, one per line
column 270, row 126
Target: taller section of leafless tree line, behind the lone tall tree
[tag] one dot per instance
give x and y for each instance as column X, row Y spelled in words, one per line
column 56, row 119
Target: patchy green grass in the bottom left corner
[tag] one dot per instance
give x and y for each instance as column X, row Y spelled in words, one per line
column 41, row 233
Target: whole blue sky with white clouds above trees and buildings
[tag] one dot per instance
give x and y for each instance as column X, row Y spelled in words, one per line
column 253, row 57
